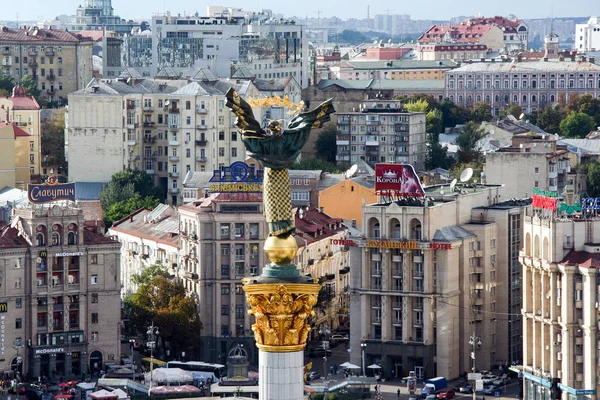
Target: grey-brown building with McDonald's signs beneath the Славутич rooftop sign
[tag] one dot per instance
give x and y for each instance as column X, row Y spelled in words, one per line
column 60, row 295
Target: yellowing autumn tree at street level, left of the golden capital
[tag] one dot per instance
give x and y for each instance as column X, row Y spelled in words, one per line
column 164, row 302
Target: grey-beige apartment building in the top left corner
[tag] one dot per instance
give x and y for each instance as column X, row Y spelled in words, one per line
column 60, row 61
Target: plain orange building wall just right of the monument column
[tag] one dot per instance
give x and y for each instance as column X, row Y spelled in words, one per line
column 346, row 198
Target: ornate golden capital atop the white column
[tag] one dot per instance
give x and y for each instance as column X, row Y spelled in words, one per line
column 282, row 311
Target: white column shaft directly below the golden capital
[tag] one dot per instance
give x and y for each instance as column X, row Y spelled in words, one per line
column 281, row 375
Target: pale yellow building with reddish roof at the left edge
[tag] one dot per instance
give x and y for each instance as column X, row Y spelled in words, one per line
column 25, row 112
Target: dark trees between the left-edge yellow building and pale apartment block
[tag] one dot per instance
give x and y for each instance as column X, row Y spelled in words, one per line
column 53, row 139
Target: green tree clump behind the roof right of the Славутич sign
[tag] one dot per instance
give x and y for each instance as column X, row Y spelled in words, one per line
column 128, row 191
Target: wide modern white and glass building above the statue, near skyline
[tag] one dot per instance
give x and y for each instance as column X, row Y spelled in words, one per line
column 268, row 47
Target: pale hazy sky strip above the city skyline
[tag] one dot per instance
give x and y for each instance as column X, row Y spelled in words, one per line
column 28, row 10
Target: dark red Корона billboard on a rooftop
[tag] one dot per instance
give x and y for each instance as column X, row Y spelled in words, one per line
column 397, row 180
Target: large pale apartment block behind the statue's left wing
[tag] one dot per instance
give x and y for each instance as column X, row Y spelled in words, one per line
column 164, row 127
